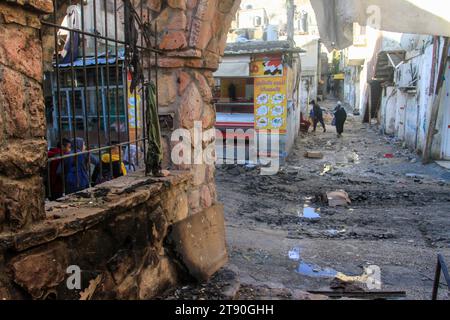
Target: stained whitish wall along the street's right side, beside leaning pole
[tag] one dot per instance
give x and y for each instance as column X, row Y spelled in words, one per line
column 406, row 108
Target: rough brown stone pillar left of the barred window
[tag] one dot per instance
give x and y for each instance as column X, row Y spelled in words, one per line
column 22, row 113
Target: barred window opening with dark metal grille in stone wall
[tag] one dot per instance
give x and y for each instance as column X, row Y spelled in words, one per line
column 94, row 94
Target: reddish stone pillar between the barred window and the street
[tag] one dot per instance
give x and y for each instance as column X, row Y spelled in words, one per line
column 193, row 36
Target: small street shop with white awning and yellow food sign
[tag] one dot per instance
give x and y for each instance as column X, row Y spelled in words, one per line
column 257, row 103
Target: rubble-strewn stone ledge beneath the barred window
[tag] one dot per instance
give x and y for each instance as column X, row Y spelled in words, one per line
column 86, row 209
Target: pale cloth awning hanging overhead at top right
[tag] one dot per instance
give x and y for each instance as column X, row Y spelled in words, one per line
column 336, row 17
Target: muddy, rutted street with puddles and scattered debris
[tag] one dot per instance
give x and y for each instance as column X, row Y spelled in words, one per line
column 281, row 234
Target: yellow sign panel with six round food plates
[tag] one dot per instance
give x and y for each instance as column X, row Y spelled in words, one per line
column 271, row 104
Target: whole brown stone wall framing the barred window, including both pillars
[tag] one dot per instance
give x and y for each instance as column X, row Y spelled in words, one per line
column 131, row 237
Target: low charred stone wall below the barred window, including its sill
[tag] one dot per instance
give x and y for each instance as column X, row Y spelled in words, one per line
column 129, row 238
